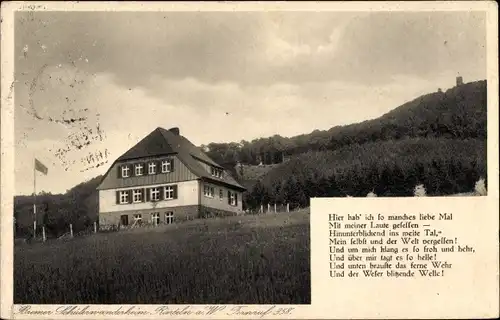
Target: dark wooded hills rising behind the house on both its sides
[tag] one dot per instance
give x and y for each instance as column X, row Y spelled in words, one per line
column 438, row 139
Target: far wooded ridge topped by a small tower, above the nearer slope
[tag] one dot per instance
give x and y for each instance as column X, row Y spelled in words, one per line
column 458, row 113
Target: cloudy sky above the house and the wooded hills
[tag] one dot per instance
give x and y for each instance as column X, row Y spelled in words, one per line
column 89, row 85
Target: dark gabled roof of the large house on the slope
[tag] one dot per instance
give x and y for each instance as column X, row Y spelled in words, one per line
column 164, row 142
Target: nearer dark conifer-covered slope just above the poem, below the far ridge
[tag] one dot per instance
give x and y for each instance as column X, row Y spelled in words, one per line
column 387, row 168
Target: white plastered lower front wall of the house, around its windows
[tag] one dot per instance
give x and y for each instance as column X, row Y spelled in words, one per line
column 187, row 194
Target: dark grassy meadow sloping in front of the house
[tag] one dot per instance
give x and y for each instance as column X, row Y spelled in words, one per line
column 261, row 259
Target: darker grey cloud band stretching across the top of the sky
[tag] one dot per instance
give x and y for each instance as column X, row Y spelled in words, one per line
column 257, row 47
